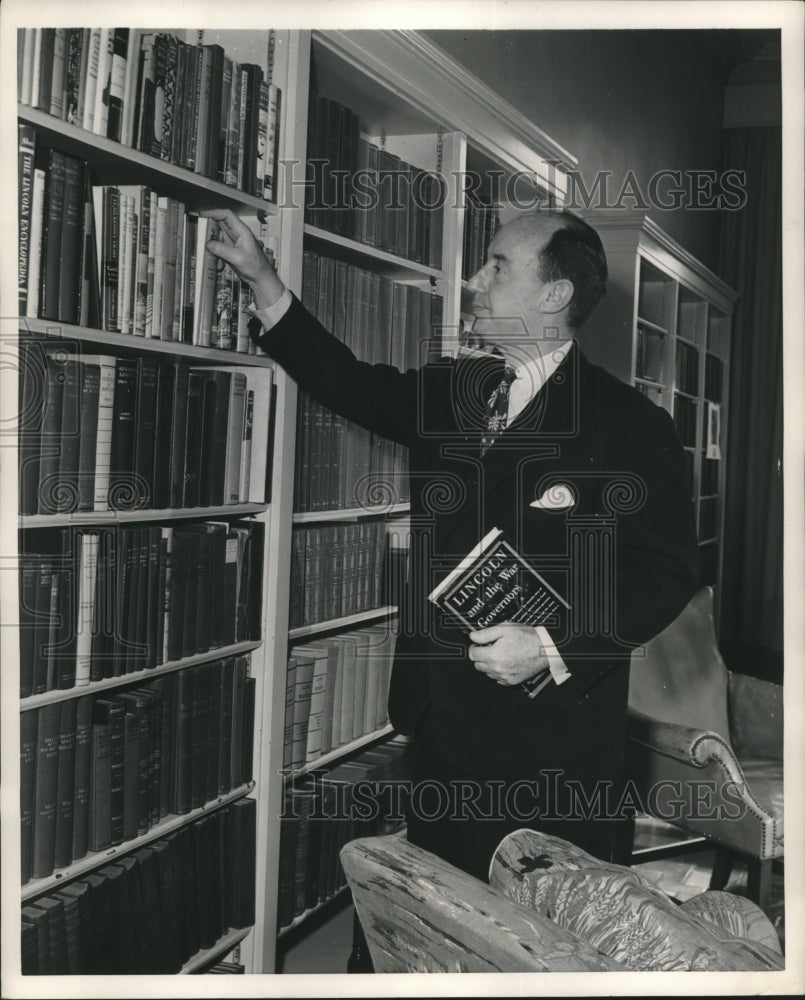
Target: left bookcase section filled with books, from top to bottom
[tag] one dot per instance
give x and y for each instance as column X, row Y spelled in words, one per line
column 169, row 819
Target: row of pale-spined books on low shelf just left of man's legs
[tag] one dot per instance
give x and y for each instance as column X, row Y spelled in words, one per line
column 336, row 691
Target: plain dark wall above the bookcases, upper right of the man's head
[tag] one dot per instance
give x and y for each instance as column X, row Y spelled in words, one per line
column 622, row 101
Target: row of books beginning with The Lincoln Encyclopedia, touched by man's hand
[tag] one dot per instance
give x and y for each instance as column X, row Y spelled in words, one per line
column 121, row 258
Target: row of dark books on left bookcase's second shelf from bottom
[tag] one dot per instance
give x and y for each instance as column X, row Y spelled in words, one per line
column 99, row 771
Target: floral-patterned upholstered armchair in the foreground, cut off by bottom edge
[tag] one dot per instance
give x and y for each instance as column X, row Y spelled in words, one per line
column 548, row 907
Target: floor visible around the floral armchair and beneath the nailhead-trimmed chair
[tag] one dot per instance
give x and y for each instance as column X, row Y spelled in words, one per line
column 325, row 946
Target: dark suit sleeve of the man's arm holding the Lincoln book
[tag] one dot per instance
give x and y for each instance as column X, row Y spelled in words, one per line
column 655, row 556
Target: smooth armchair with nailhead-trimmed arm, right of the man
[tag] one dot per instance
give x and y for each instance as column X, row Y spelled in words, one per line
column 705, row 746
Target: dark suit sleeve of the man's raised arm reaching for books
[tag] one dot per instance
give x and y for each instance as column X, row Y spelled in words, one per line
column 378, row 397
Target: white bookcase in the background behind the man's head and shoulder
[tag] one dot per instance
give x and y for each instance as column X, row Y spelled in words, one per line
column 664, row 326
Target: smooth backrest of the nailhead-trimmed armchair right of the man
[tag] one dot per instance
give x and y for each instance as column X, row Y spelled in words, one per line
column 679, row 676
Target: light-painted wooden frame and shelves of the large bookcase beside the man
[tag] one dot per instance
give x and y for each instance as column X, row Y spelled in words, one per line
column 416, row 103
